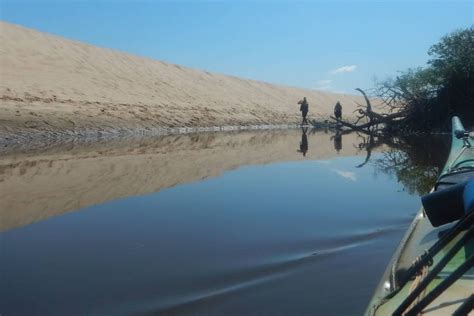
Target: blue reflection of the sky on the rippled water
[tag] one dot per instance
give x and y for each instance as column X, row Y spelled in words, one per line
column 243, row 226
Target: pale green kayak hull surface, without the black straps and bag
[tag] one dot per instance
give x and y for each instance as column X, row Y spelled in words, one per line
column 420, row 236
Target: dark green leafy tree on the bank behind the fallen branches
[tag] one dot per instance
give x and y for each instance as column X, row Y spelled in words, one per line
column 430, row 96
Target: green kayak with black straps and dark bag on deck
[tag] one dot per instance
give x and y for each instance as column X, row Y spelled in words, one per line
column 432, row 270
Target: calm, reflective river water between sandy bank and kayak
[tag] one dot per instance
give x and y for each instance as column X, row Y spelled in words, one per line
column 209, row 224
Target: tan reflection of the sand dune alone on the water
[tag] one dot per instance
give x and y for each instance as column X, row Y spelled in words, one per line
column 67, row 178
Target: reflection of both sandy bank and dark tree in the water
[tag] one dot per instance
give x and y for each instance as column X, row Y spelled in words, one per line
column 35, row 185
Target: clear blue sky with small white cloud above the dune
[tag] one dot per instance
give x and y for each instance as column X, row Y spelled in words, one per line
column 327, row 45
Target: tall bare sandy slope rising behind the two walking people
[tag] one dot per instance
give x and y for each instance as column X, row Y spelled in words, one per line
column 50, row 84
